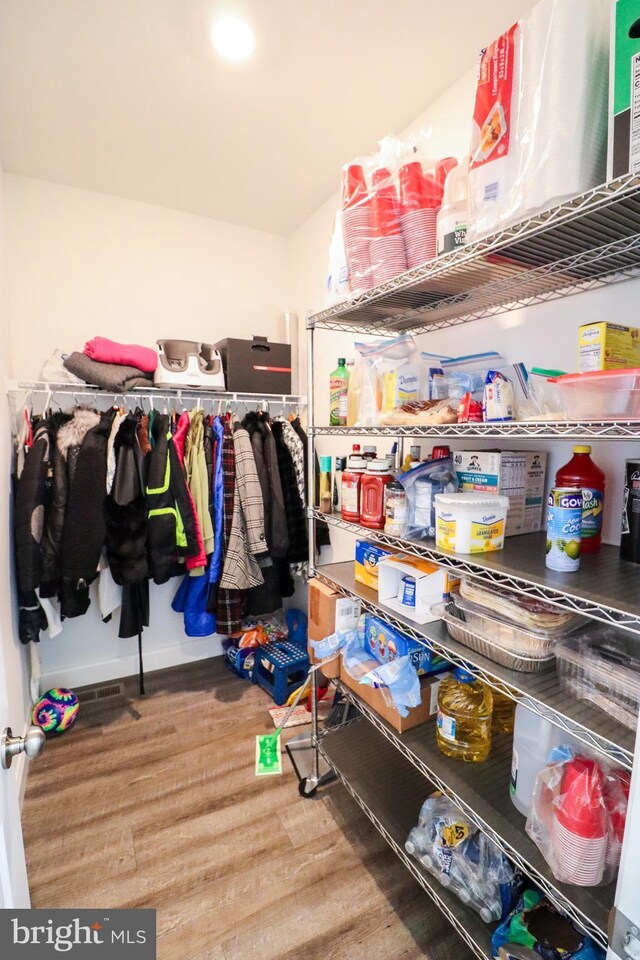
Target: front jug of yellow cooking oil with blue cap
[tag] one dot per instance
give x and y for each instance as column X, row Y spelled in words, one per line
column 463, row 728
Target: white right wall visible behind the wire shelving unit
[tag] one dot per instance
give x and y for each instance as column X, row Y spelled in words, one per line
column 544, row 335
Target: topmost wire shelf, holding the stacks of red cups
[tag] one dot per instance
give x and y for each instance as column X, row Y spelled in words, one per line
column 585, row 242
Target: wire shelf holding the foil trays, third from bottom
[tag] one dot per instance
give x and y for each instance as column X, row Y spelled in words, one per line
column 539, row 692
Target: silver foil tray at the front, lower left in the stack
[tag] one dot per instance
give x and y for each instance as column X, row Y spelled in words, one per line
column 519, row 649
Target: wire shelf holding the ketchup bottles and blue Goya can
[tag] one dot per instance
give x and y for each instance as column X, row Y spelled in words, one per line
column 605, row 588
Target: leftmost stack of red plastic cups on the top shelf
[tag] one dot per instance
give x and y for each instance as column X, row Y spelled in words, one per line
column 356, row 226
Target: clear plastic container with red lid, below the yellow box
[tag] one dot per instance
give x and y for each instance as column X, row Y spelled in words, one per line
column 601, row 395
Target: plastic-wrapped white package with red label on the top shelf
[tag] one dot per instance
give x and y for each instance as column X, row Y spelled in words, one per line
column 540, row 118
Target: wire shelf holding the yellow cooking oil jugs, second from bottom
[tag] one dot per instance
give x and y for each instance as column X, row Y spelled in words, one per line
column 482, row 793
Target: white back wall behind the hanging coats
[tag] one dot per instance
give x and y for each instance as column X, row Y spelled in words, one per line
column 80, row 264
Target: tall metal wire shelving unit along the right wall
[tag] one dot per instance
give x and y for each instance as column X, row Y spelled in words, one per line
column 589, row 241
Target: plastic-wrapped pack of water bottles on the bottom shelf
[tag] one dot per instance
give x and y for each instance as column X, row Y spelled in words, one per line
column 463, row 859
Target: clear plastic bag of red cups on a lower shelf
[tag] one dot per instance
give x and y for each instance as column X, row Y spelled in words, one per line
column 577, row 817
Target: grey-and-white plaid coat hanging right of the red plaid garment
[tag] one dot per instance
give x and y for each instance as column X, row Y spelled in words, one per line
column 247, row 540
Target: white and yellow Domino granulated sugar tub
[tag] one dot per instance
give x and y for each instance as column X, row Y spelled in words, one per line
column 470, row 522
